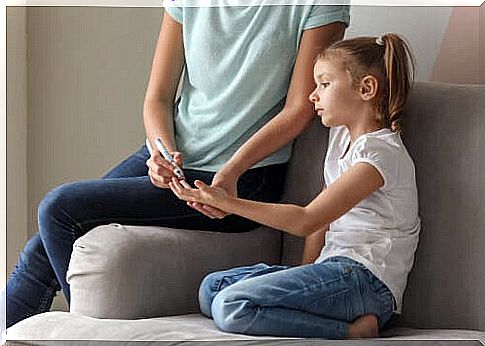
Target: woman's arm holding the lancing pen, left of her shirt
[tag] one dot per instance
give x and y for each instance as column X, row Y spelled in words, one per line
column 168, row 62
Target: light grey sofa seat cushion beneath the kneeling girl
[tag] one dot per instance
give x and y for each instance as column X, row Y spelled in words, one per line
column 194, row 327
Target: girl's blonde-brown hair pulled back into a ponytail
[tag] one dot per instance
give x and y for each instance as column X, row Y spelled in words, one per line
column 389, row 59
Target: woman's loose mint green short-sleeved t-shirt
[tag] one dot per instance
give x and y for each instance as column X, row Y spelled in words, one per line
column 239, row 62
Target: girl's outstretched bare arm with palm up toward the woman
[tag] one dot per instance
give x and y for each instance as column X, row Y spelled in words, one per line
column 357, row 183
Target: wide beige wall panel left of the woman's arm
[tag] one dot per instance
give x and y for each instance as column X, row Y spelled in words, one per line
column 88, row 69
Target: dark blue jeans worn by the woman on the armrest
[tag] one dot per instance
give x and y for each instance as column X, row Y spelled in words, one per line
column 124, row 195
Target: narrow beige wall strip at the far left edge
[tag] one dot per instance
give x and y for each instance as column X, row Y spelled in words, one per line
column 16, row 134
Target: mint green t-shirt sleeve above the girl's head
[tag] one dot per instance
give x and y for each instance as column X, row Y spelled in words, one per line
column 324, row 14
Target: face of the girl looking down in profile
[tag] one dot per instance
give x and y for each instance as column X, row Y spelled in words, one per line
column 336, row 99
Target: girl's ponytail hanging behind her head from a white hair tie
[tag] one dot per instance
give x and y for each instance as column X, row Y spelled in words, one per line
column 399, row 66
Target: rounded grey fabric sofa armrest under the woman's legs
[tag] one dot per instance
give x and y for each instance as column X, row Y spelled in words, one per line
column 129, row 272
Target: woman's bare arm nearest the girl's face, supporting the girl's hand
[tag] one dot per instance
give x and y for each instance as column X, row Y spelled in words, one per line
column 286, row 125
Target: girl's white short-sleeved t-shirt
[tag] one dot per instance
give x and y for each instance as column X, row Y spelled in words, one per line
column 381, row 231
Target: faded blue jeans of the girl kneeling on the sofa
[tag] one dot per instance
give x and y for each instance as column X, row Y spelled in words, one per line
column 314, row 300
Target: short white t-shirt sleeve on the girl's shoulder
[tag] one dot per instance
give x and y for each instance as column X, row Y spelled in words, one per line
column 381, row 155
